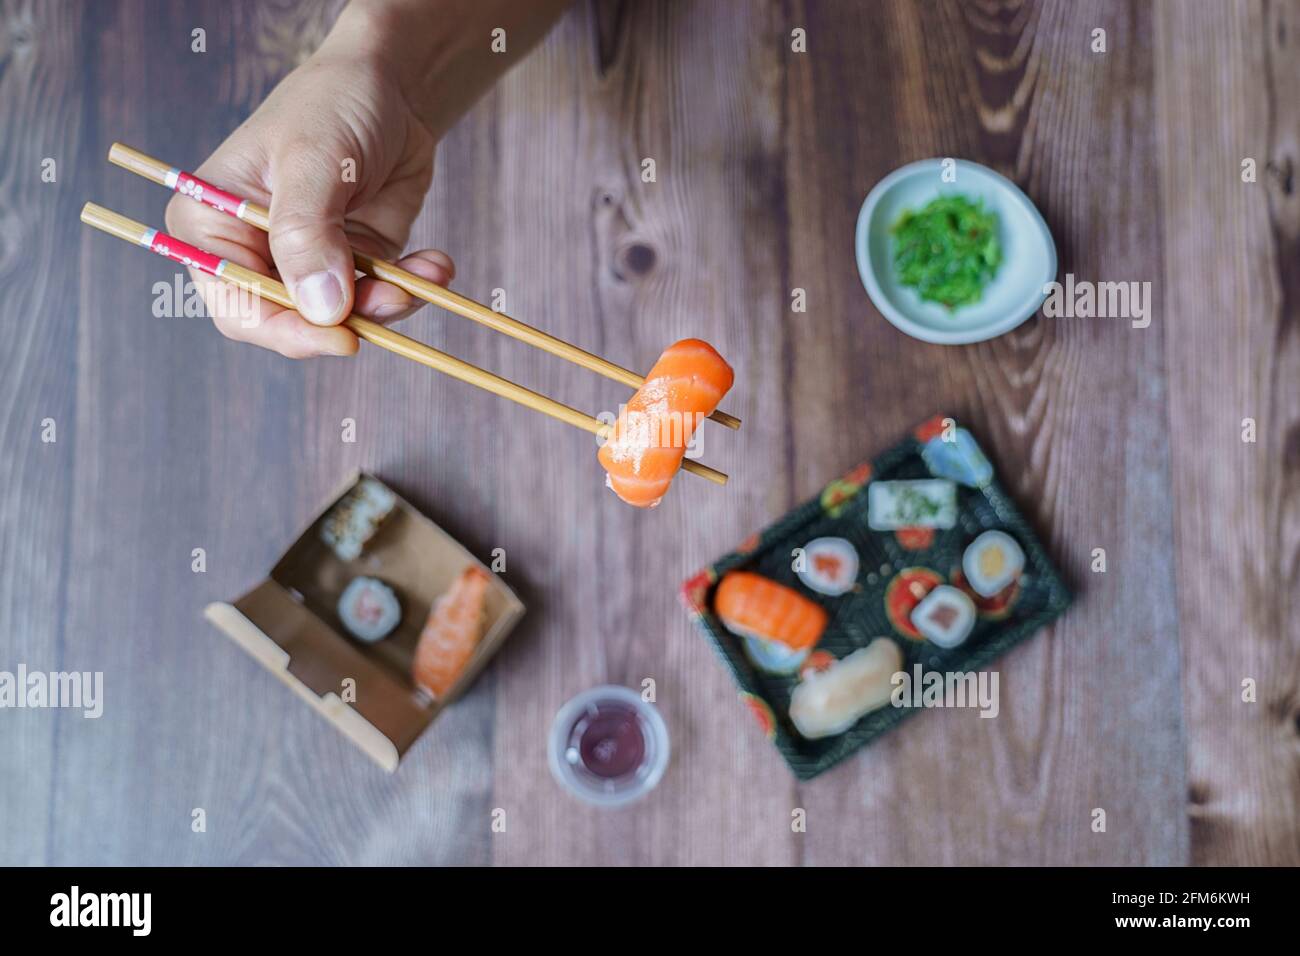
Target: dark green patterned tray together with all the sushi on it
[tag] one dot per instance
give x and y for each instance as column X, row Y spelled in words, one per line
column 916, row 560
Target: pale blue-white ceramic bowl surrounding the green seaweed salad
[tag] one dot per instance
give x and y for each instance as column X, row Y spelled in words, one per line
column 1017, row 291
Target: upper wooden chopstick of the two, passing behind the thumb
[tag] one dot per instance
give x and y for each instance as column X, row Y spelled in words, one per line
column 258, row 217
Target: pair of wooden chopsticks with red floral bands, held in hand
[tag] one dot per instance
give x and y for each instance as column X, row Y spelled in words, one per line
column 370, row 331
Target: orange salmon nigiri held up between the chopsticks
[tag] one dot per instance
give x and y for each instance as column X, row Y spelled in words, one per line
column 649, row 439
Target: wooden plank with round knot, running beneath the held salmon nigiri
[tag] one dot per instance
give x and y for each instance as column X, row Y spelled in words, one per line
column 645, row 265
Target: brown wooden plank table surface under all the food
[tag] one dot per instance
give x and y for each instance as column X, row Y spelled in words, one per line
column 1112, row 438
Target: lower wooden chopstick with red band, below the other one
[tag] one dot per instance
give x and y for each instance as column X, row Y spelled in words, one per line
column 267, row 288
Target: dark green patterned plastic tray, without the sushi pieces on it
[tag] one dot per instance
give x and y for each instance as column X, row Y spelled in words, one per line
column 935, row 449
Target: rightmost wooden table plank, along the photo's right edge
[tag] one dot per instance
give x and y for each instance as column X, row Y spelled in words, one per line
column 1228, row 79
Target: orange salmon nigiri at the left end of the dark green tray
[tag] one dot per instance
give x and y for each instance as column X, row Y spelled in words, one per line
column 779, row 625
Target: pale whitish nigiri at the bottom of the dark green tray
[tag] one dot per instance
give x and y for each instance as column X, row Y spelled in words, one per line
column 833, row 700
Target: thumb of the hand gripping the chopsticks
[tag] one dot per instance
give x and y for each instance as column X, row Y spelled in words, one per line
column 307, row 205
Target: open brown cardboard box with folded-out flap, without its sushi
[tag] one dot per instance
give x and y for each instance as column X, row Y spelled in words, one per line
column 289, row 624
